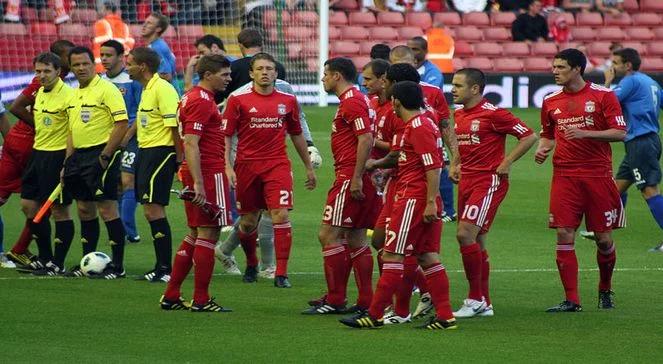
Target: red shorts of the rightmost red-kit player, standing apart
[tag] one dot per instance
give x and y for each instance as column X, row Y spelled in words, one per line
column 595, row 198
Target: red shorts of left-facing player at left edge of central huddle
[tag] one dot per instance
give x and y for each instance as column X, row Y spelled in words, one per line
column 344, row 211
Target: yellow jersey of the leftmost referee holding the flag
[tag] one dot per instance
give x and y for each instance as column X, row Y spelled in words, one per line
column 52, row 117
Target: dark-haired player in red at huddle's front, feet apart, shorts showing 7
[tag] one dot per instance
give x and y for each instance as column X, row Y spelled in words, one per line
column 415, row 226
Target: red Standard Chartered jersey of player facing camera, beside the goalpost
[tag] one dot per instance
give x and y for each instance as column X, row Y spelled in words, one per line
column 261, row 122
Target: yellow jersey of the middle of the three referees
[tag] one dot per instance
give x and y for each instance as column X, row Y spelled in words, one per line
column 93, row 112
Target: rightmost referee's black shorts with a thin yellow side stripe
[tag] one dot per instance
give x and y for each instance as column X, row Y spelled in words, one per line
column 155, row 170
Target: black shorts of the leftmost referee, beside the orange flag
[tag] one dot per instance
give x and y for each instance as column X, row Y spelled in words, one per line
column 42, row 175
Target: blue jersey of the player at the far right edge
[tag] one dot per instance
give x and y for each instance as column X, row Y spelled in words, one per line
column 640, row 98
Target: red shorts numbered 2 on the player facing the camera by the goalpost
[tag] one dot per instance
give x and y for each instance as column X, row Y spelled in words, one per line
column 263, row 185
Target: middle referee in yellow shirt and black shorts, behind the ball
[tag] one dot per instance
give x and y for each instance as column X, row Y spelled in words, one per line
column 98, row 122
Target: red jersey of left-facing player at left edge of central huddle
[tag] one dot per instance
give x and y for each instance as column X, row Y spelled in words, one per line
column 354, row 117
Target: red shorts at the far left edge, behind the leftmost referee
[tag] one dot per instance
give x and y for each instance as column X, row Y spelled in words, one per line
column 15, row 155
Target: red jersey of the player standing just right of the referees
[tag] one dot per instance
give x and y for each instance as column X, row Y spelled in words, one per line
column 200, row 116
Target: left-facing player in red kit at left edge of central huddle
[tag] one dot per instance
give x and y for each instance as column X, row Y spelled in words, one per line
column 352, row 201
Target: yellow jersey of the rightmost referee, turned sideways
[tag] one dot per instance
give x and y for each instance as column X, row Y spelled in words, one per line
column 157, row 114
